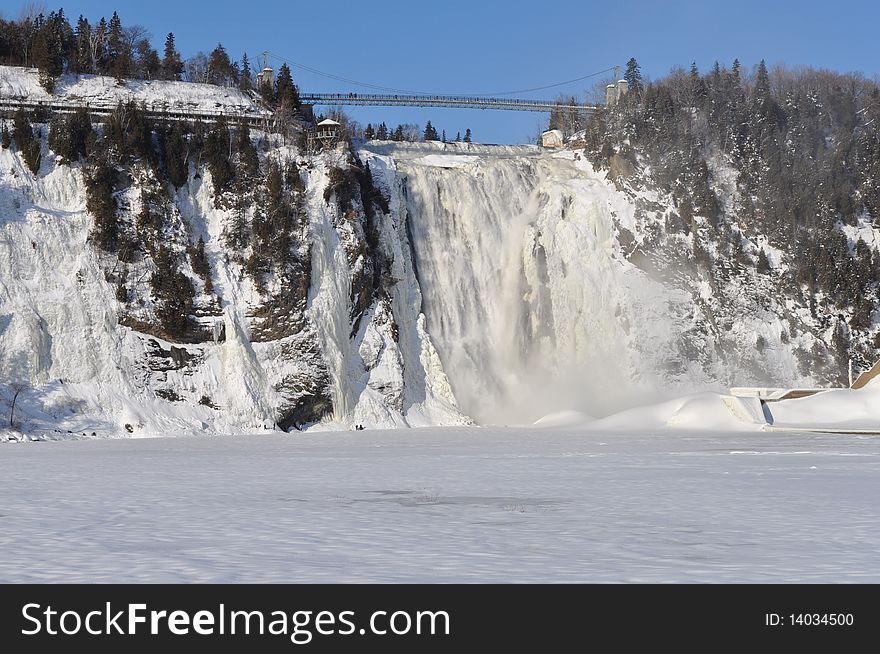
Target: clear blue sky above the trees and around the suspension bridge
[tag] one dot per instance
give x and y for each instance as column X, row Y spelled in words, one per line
column 492, row 46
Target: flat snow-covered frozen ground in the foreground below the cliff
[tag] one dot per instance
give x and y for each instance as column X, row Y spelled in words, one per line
column 444, row 505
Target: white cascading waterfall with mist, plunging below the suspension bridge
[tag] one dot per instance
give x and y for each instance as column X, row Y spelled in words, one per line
column 529, row 303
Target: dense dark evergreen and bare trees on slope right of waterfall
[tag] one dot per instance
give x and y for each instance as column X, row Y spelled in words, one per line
column 805, row 148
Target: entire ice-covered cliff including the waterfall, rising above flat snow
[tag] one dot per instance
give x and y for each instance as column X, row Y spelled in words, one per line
column 499, row 284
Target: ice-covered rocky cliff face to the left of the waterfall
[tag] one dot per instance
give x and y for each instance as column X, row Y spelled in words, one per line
column 89, row 360
